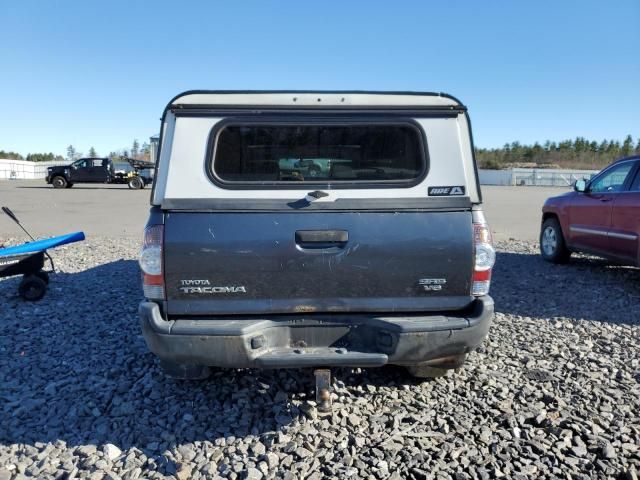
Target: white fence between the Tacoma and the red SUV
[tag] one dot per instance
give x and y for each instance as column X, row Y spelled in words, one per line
column 533, row 177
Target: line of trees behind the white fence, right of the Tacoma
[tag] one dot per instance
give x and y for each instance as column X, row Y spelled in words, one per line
column 579, row 153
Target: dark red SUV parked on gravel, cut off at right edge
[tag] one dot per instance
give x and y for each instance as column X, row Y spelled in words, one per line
column 601, row 216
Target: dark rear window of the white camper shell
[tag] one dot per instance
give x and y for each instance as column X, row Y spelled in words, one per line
column 334, row 154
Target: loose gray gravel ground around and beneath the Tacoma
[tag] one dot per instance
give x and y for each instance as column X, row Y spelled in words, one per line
column 553, row 393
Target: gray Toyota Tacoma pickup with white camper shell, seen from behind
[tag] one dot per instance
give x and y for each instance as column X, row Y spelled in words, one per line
column 315, row 229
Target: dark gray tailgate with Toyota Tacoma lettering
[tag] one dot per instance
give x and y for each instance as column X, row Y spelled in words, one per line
column 294, row 262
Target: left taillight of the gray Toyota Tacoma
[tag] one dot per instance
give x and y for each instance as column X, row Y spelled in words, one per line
column 151, row 262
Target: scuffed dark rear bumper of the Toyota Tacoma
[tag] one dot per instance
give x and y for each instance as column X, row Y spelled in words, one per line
column 294, row 341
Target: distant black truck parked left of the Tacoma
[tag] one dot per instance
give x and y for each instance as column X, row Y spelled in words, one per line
column 134, row 173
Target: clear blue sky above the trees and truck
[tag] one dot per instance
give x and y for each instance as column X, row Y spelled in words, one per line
column 100, row 73
